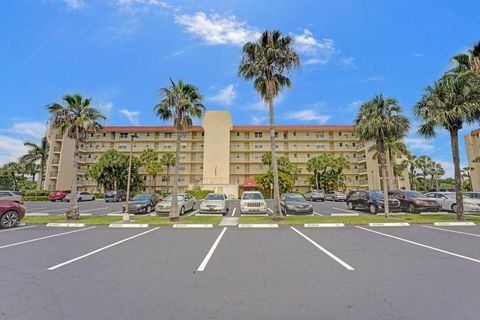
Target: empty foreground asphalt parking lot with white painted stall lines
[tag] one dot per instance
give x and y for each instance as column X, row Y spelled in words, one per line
column 415, row 272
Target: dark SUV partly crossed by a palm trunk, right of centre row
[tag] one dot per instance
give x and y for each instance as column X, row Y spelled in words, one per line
column 373, row 201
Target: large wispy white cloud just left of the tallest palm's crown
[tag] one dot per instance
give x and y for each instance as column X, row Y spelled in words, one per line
column 215, row 29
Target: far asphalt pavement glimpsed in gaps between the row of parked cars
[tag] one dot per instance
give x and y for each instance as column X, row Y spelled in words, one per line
column 100, row 207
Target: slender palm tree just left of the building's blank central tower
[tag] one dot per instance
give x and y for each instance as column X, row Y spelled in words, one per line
column 181, row 102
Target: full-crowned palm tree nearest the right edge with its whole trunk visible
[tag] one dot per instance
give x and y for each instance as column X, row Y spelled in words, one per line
column 449, row 103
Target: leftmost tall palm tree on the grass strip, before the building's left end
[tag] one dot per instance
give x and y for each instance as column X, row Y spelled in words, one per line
column 74, row 117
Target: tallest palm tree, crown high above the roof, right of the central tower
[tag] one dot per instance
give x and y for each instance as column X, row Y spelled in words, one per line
column 266, row 61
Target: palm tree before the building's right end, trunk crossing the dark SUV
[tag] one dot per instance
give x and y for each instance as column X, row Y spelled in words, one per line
column 380, row 120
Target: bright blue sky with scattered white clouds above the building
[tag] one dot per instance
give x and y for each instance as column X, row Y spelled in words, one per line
column 120, row 52
